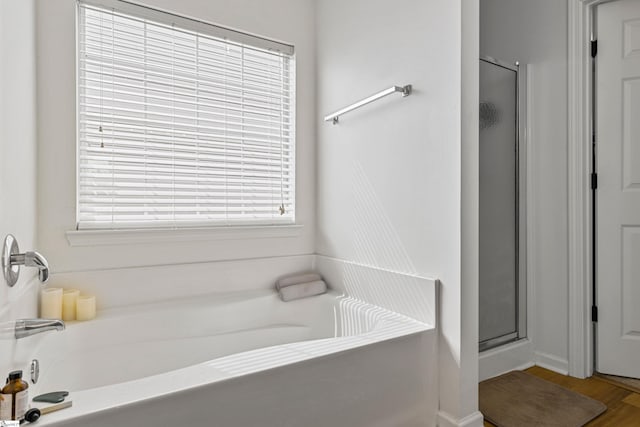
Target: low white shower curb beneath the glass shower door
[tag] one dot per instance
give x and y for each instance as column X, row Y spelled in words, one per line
column 515, row 356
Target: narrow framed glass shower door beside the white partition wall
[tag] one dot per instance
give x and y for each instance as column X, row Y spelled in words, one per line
column 502, row 203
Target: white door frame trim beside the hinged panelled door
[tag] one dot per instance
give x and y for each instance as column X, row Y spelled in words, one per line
column 580, row 95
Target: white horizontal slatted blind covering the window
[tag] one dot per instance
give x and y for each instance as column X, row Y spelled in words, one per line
column 180, row 128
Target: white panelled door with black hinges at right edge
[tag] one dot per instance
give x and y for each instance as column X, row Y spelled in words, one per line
column 618, row 193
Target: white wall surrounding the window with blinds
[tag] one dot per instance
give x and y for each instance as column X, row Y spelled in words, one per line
column 56, row 76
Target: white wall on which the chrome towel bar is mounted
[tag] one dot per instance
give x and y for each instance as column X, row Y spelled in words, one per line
column 390, row 190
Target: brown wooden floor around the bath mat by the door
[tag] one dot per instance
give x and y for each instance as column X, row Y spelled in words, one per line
column 623, row 406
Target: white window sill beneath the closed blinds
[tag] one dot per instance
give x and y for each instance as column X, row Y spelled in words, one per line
column 141, row 236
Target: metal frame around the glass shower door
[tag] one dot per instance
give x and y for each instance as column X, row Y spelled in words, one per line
column 521, row 205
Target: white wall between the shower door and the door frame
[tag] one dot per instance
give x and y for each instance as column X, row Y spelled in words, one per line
column 535, row 33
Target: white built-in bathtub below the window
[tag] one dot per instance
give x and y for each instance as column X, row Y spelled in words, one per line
column 244, row 359
